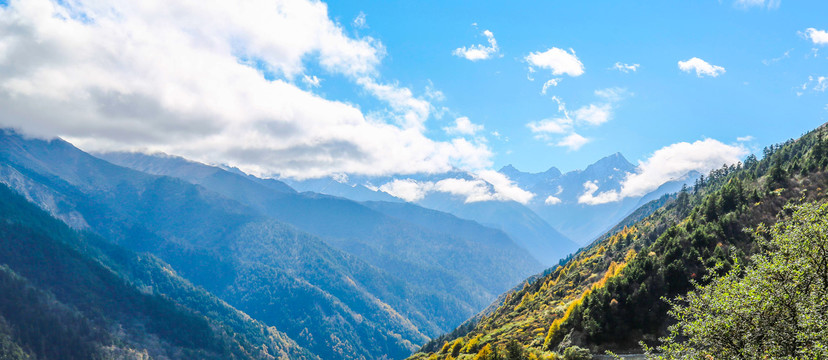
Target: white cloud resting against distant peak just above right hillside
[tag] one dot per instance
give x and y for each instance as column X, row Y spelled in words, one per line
column 669, row 163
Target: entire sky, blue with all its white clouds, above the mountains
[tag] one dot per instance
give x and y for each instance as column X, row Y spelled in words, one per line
column 301, row 89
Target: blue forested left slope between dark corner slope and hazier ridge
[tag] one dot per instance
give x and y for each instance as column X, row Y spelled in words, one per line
column 331, row 303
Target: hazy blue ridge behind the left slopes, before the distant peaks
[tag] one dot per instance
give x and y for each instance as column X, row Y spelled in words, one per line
column 465, row 272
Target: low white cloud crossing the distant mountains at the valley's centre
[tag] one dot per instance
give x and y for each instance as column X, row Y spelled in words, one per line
column 486, row 185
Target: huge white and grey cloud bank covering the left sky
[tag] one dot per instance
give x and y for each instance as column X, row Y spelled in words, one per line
column 219, row 87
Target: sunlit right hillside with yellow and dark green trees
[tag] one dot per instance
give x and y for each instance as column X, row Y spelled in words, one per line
column 611, row 294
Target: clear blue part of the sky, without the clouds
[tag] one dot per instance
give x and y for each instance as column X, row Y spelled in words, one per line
column 765, row 53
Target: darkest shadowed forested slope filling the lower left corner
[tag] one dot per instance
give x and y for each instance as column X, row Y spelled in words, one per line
column 71, row 295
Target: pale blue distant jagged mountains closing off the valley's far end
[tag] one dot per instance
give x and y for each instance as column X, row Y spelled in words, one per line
column 553, row 224
